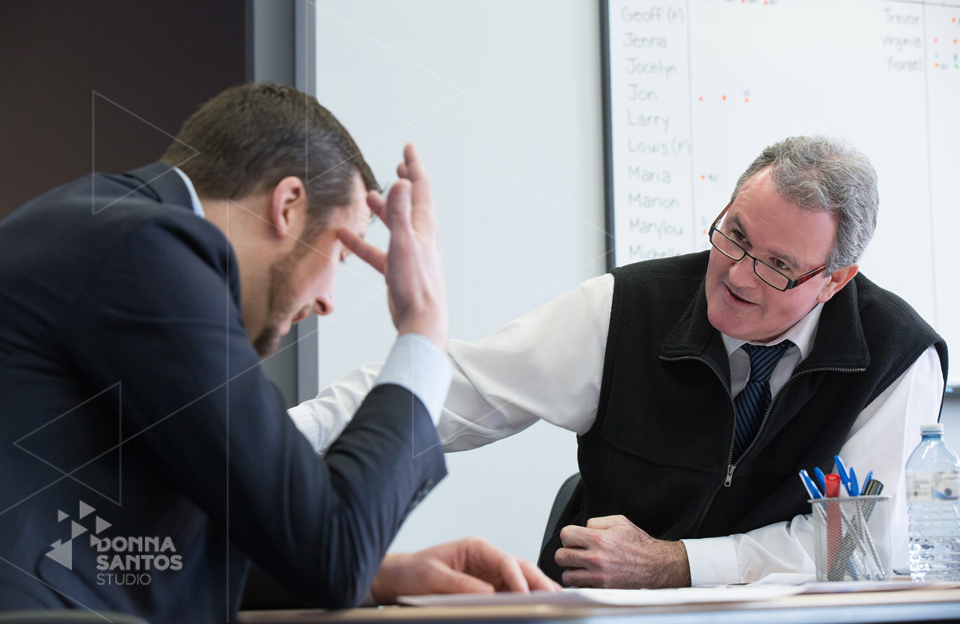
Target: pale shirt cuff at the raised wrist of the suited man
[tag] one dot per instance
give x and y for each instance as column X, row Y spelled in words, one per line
column 417, row 364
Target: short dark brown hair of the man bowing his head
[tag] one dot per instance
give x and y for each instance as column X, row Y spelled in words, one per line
column 252, row 136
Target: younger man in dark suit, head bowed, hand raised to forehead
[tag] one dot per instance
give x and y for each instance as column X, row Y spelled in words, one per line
column 145, row 457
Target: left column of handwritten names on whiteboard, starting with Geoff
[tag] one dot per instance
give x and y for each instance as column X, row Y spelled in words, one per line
column 650, row 119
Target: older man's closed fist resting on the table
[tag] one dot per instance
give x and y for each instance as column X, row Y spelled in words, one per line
column 612, row 552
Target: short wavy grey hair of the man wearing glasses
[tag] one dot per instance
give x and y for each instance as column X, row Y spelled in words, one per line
column 820, row 173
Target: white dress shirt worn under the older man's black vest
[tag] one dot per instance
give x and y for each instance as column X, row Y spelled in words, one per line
column 548, row 365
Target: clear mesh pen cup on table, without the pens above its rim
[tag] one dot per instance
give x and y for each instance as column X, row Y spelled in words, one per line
column 852, row 538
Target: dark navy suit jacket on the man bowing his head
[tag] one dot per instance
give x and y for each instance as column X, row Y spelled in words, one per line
column 133, row 409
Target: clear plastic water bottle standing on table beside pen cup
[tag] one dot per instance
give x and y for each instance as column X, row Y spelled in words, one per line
column 933, row 502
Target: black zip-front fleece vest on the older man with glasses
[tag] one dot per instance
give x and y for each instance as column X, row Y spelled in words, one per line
column 661, row 449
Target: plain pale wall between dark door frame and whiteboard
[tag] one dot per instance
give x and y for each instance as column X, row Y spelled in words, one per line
column 519, row 205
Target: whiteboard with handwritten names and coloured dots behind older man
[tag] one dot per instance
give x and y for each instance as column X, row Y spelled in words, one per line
column 695, row 89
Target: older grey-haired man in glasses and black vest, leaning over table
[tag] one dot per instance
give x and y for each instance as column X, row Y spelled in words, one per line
column 700, row 385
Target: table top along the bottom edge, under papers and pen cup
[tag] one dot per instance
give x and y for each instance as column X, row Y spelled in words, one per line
column 897, row 606
